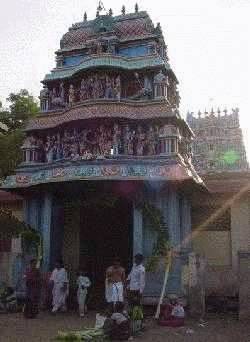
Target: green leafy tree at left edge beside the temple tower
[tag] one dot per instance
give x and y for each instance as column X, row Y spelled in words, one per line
column 22, row 106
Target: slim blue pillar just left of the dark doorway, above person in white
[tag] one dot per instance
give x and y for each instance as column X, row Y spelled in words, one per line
column 46, row 213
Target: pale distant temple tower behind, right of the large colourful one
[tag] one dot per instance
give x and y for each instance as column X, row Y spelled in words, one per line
column 218, row 144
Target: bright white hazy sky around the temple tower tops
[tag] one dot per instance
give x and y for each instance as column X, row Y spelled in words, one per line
column 208, row 45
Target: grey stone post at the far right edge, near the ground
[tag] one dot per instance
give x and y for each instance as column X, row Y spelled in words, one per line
column 244, row 288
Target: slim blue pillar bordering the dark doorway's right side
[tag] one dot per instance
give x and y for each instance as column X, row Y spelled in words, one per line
column 137, row 230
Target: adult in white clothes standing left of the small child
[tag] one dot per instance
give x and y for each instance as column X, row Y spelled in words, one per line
column 60, row 291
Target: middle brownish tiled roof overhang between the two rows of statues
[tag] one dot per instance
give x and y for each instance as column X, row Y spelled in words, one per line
column 106, row 109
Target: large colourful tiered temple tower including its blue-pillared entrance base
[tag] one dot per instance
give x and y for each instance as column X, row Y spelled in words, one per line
column 109, row 137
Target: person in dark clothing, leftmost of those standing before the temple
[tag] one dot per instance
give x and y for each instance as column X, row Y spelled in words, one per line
column 33, row 290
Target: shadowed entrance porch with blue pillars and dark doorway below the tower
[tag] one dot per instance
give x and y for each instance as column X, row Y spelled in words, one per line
column 89, row 222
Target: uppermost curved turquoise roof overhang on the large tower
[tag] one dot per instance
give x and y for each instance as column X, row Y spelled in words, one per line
column 108, row 61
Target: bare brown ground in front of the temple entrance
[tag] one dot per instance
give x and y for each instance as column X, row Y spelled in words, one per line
column 14, row 328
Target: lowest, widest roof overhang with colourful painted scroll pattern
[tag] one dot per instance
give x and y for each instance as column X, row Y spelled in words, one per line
column 170, row 169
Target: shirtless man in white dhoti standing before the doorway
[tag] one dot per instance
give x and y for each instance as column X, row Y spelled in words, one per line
column 115, row 278
